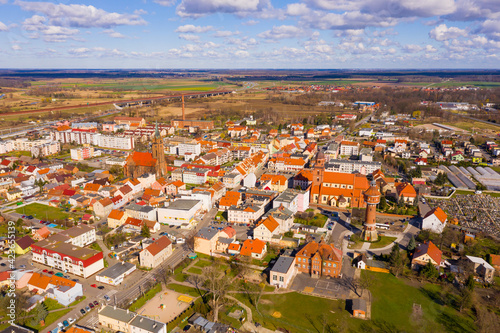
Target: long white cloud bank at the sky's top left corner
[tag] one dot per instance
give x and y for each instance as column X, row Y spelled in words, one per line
column 80, row 16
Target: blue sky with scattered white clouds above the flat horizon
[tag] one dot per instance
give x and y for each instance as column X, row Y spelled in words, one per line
column 250, row 34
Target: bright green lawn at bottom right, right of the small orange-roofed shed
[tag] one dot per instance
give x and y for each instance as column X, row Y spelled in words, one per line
column 393, row 301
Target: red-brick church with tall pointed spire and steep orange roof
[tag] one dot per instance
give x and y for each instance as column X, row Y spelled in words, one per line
column 139, row 163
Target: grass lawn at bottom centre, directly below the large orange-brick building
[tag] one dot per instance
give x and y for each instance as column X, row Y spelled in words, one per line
column 300, row 313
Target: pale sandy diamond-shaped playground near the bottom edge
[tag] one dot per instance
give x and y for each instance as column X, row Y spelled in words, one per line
column 165, row 306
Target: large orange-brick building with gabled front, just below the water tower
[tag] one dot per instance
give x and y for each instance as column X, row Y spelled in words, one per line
column 319, row 259
